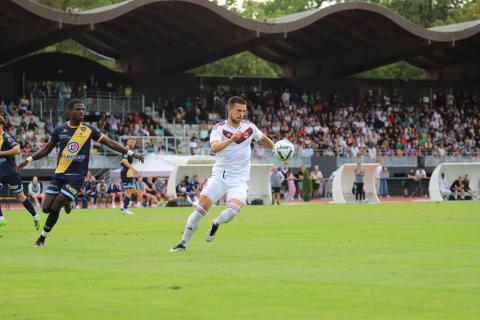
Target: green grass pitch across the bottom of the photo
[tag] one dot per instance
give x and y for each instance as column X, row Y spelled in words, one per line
column 390, row 261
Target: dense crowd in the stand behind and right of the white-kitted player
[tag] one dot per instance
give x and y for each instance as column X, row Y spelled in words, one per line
column 378, row 126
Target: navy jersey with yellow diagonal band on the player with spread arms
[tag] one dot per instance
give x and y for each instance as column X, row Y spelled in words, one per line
column 74, row 147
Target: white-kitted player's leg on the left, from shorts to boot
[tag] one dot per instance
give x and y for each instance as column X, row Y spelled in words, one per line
column 212, row 191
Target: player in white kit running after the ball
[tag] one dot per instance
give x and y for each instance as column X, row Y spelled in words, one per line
column 230, row 141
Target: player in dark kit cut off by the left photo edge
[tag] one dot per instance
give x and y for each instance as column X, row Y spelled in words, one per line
column 10, row 176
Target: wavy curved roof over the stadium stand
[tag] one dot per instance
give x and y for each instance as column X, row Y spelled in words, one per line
column 180, row 34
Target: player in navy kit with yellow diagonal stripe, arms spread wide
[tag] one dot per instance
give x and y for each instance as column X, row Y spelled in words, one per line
column 73, row 139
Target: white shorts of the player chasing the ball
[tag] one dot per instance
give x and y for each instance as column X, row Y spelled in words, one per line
column 217, row 186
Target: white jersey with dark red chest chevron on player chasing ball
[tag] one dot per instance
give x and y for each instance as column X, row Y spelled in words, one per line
column 234, row 160
